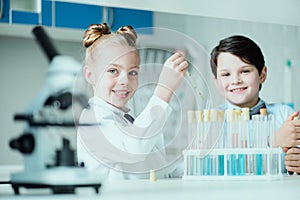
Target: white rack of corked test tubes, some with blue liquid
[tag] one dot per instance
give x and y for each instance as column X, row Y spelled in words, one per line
column 228, row 145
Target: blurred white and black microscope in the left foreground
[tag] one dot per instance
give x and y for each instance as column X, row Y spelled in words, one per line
column 49, row 136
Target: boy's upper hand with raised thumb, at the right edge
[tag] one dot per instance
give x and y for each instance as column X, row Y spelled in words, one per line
column 289, row 133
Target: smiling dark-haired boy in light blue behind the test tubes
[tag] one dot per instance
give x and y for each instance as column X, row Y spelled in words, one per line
column 239, row 71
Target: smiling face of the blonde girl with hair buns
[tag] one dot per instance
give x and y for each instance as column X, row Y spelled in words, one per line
column 115, row 76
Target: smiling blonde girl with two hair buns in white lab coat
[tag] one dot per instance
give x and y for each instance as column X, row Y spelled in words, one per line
column 115, row 144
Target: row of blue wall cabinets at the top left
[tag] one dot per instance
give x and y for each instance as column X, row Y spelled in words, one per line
column 75, row 15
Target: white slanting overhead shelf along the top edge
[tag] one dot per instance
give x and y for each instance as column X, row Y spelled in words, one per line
column 267, row 11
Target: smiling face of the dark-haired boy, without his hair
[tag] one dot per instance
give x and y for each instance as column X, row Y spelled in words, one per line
column 238, row 81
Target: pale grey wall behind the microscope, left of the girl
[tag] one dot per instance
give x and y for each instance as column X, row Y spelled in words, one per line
column 23, row 68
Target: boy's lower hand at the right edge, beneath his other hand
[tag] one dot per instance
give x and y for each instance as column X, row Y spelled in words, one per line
column 292, row 160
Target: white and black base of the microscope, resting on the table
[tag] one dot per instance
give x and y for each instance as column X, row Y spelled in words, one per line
column 61, row 180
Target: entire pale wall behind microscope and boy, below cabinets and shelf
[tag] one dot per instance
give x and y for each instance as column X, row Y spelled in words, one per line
column 23, row 65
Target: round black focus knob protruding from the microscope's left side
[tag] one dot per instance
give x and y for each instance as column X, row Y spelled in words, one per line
column 25, row 143
